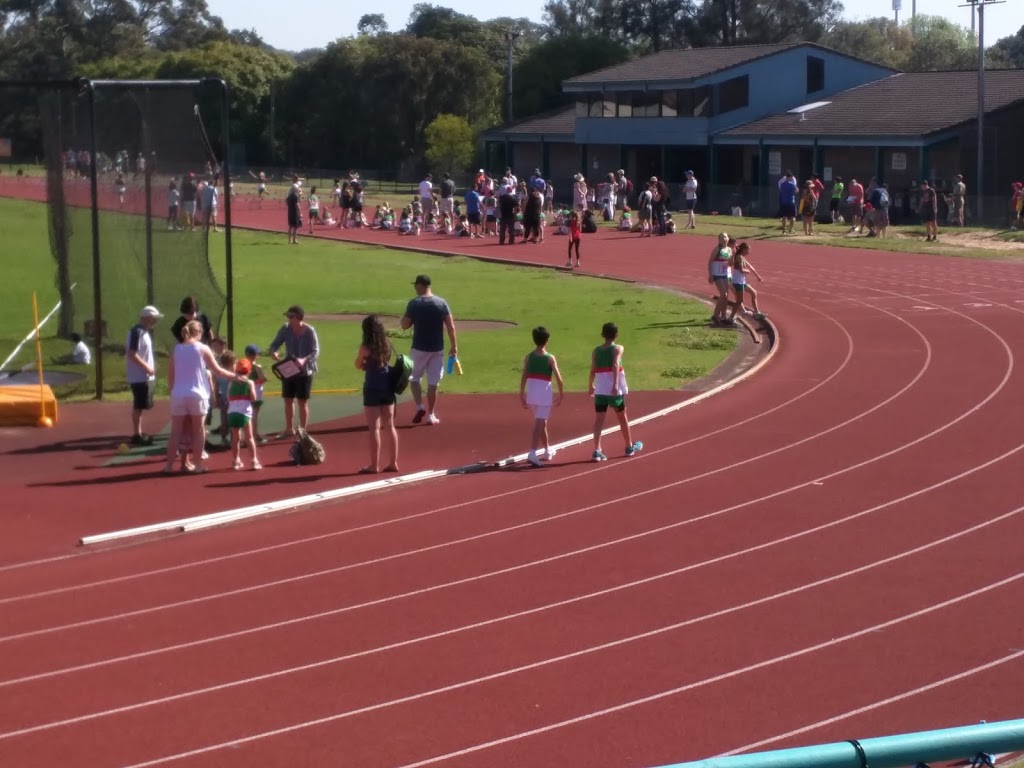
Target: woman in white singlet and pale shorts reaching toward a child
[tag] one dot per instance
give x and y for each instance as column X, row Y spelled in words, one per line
column 189, row 381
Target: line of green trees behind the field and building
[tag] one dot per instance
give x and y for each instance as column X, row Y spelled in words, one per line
column 367, row 101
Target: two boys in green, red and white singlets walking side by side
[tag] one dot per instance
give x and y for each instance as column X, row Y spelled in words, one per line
column 608, row 388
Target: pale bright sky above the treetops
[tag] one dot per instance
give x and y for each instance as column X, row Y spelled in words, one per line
column 314, row 24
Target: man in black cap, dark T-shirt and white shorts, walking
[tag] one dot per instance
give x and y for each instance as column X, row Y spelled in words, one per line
column 430, row 317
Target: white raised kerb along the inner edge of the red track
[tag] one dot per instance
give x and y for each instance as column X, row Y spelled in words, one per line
column 201, row 523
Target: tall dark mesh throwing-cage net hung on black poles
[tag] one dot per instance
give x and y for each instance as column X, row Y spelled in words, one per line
column 104, row 156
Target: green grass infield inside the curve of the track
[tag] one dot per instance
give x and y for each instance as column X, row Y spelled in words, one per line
column 666, row 336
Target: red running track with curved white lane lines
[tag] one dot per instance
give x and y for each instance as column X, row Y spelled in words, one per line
column 829, row 550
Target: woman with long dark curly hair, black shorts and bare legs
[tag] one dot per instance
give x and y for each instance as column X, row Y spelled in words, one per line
column 374, row 359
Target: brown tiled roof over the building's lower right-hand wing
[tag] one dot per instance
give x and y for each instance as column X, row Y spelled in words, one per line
column 914, row 104
